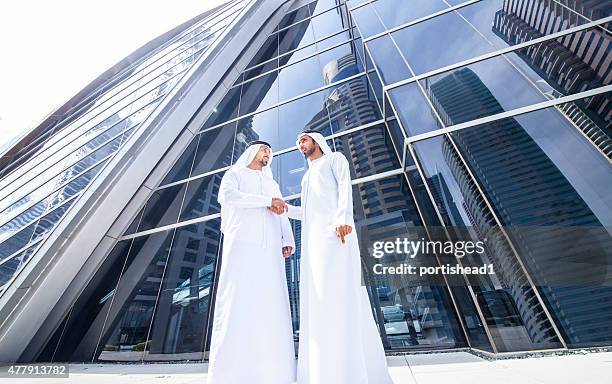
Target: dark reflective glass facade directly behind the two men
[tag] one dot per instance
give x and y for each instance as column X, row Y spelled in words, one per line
column 481, row 119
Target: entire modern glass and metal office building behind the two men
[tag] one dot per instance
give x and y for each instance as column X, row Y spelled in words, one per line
column 482, row 120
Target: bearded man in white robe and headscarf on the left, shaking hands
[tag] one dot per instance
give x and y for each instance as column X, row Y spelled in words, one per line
column 252, row 335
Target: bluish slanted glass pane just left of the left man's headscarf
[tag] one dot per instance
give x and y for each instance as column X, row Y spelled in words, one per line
column 214, row 149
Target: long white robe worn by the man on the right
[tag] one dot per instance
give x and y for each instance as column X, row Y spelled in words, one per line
column 339, row 341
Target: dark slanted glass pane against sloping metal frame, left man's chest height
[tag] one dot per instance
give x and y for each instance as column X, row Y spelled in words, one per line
column 163, row 207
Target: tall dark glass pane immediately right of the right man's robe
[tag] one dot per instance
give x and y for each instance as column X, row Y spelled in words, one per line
column 411, row 311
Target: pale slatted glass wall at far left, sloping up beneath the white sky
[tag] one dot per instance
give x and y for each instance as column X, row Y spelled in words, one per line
column 39, row 186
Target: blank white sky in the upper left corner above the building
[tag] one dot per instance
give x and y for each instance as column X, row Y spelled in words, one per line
column 53, row 49
